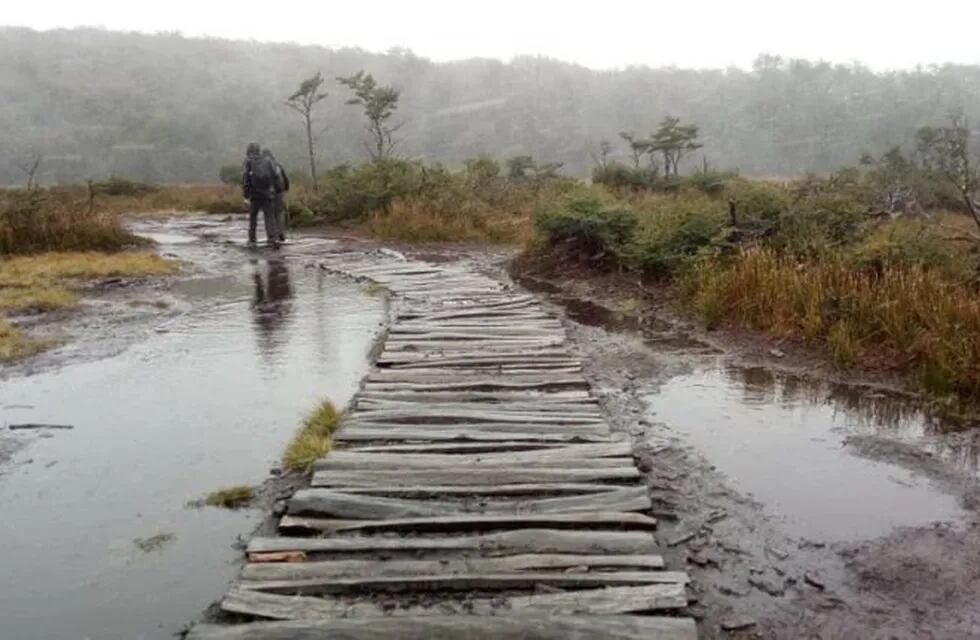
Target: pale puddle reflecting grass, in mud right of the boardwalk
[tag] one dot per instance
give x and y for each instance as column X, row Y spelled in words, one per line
column 780, row 439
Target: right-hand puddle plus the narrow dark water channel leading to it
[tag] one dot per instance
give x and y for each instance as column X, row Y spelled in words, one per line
column 781, row 438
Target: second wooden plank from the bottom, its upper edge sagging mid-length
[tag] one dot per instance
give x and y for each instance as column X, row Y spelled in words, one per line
column 607, row 601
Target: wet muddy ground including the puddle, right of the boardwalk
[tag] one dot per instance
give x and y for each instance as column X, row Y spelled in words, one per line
column 801, row 505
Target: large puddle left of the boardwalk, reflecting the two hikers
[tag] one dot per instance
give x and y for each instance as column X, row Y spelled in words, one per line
column 208, row 401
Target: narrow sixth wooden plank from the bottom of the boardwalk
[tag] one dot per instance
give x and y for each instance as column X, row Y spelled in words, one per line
column 586, row 520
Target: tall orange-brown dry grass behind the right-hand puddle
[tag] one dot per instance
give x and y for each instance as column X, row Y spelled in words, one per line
column 910, row 319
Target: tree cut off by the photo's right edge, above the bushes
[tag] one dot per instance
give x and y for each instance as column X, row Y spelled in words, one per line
column 947, row 150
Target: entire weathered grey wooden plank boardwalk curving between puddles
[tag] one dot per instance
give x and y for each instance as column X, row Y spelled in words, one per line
column 475, row 490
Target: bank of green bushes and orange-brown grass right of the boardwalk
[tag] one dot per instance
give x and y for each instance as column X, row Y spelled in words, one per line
column 810, row 261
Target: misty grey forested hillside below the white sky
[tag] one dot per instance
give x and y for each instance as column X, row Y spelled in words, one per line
column 173, row 109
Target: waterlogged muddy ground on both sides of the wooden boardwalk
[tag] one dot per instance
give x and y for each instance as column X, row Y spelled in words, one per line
column 800, row 508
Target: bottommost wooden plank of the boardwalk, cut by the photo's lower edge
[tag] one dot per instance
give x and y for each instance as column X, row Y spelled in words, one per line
column 541, row 626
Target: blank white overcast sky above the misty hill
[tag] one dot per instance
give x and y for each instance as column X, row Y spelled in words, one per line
column 610, row 34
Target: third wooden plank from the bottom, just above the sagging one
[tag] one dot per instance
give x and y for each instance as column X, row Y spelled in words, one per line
column 463, row 582
